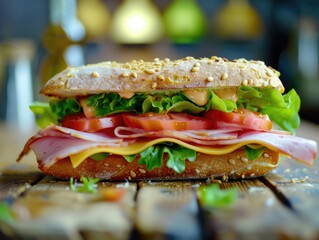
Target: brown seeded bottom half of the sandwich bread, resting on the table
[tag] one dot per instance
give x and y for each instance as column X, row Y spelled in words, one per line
column 115, row 167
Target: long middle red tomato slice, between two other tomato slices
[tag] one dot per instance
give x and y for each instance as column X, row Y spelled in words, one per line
column 169, row 121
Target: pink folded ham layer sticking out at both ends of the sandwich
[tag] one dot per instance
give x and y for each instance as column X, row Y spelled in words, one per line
column 55, row 142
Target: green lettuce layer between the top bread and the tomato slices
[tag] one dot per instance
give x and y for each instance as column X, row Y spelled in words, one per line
column 281, row 109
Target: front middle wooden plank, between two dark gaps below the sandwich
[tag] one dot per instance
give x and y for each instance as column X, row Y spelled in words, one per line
column 167, row 210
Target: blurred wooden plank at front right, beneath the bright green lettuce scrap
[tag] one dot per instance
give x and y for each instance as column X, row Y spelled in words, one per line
column 256, row 214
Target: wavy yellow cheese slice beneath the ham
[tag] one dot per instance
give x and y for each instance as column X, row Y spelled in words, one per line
column 139, row 146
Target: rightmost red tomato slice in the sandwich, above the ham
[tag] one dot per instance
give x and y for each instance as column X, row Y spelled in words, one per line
column 242, row 117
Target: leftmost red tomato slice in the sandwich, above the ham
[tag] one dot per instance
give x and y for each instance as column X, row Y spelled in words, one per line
column 78, row 121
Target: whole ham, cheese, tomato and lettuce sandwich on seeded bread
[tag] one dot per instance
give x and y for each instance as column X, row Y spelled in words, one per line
column 183, row 119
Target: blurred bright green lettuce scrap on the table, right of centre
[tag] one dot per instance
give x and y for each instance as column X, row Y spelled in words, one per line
column 213, row 197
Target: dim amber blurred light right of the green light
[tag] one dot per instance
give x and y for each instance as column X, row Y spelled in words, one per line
column 237, row 20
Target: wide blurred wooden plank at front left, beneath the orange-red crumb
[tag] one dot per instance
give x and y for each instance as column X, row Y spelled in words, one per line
column 50, row 208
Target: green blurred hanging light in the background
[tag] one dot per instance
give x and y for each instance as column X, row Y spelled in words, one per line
column 184, row 21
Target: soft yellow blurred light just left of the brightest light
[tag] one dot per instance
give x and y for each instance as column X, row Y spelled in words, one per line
column 95, row 17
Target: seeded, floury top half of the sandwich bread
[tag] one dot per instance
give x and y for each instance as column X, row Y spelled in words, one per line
column 160, row 75
